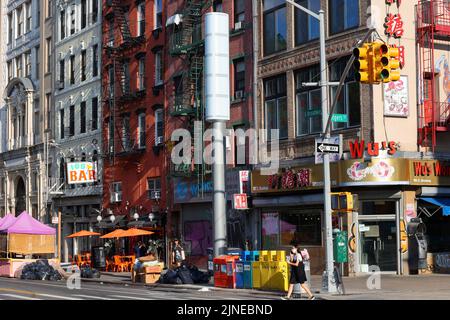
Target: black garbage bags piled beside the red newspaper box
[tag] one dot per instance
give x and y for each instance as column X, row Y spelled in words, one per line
column 184, row 275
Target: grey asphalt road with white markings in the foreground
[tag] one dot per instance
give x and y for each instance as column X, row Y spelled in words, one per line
column 16, row 289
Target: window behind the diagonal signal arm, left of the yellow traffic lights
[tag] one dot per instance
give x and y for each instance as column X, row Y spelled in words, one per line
column 349, row 102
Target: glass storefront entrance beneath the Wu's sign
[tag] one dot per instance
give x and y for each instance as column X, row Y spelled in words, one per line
column 378, row 236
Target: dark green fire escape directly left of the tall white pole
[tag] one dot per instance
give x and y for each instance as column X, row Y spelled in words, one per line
column 186, row 42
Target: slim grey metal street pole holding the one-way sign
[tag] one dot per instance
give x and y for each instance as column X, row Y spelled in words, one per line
column 326, row 158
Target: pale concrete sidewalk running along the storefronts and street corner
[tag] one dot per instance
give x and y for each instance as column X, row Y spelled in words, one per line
column 392, row 287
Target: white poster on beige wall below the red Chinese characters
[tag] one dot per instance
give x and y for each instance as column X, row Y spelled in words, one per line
column 396, row 98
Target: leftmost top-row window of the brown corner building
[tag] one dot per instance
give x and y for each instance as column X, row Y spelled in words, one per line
column 275, row 30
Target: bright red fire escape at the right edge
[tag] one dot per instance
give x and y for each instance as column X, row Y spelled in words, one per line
column 433, row 31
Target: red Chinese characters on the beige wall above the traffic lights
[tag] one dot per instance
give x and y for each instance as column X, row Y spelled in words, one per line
column 394, row 27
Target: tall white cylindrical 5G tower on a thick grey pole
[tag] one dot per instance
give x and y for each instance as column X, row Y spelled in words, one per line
column 217, row 89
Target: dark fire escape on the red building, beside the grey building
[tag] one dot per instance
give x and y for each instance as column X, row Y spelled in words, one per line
column 119, row 46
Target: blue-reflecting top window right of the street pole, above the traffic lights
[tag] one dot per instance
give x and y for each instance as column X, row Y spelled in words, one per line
column 344, row 14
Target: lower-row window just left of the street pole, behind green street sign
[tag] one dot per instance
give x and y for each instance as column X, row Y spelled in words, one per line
column 309, row 102
